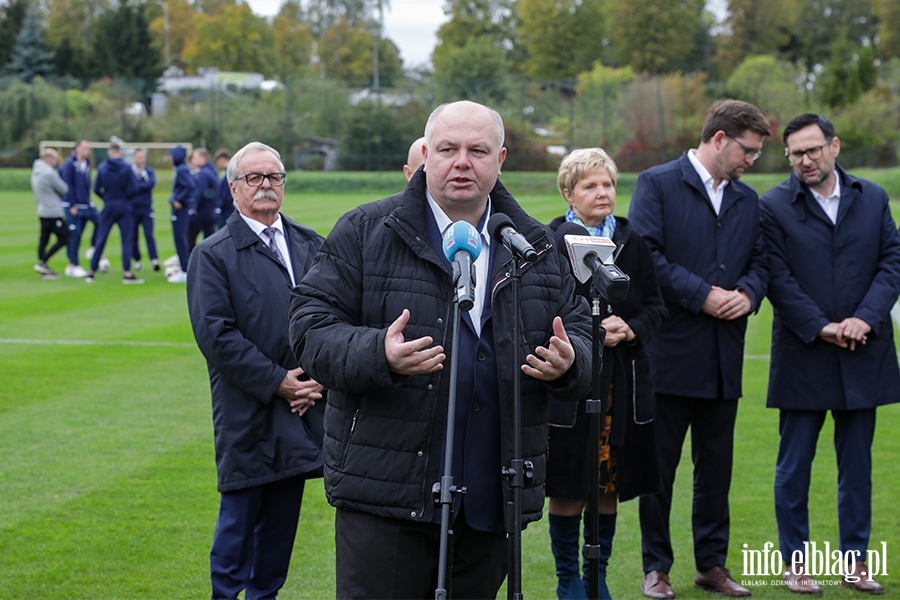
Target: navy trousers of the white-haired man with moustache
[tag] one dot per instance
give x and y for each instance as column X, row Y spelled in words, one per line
column 254, row 539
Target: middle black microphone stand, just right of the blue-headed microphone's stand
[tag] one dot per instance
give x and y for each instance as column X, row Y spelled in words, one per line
column 520, row 471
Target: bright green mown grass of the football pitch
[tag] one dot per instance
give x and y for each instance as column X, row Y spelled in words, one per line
column 106, row 458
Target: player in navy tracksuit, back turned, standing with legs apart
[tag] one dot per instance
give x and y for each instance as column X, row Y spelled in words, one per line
column 115, row 185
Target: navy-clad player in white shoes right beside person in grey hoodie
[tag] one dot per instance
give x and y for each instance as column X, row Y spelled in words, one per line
column 79, row 209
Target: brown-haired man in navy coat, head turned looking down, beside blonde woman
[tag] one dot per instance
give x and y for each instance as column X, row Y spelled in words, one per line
column 702, row 225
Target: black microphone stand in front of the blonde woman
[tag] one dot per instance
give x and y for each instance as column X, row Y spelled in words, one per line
column 594, row 407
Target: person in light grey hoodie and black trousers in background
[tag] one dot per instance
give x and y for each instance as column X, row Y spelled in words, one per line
column 49, row 188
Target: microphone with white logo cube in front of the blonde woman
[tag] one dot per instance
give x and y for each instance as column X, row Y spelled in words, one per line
column 587, row 254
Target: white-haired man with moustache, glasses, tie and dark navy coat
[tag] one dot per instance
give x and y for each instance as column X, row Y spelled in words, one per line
column 268, row 426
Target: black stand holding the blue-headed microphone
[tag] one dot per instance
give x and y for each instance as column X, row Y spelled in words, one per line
column 443, row 492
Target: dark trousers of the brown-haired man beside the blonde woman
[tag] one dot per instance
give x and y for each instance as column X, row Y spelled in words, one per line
column 712, row 445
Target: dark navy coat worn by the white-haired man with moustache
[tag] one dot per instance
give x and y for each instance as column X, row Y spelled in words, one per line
column 239, row 302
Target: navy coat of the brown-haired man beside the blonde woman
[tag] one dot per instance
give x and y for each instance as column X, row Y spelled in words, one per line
column 694, row 249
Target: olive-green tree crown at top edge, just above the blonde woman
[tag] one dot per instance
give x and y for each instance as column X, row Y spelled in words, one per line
column 562, row 37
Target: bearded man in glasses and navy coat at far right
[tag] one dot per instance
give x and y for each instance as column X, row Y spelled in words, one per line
column 834, row 259
